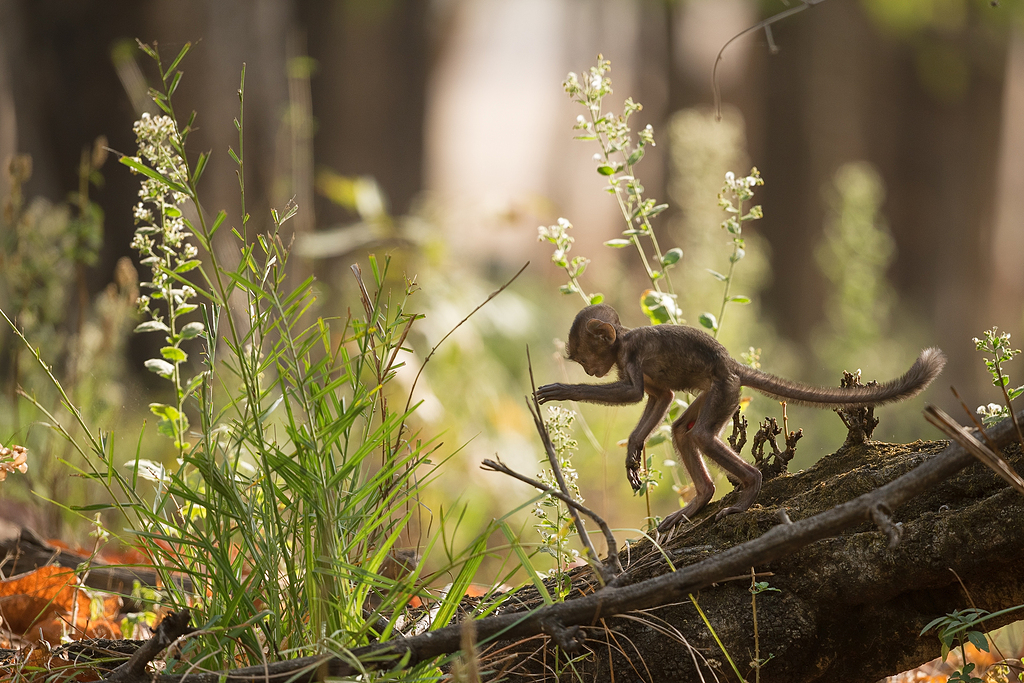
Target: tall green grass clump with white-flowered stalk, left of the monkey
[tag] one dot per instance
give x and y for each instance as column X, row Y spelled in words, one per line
column 282, row 515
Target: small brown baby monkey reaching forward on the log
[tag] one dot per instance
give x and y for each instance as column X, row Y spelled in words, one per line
column 663, row 359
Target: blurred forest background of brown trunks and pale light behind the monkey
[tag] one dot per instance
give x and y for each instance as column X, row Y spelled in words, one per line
column 888, row 134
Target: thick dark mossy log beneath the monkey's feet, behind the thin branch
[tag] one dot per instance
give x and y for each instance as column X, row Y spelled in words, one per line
column 846, row 609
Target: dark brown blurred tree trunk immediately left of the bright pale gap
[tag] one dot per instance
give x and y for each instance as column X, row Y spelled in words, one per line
column 370, row 86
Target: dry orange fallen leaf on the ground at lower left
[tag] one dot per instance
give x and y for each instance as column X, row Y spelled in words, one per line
column 40, row 605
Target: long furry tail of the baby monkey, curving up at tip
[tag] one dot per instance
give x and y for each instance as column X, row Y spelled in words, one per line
column 922, row 373
